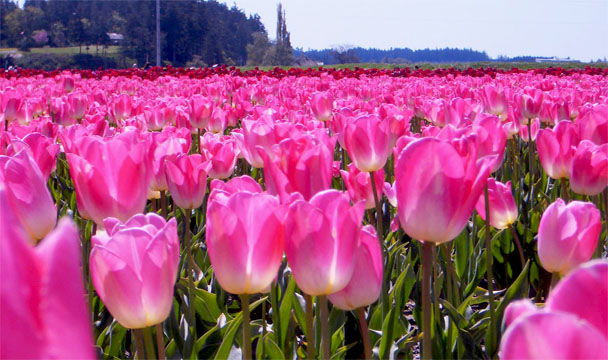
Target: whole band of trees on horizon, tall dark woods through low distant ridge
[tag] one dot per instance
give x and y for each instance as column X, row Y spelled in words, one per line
column 193, row 33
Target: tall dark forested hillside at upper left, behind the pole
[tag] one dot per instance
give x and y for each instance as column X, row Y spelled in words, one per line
column 193, row 31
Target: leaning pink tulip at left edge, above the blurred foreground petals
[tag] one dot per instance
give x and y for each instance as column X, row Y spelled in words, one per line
column 28, row 195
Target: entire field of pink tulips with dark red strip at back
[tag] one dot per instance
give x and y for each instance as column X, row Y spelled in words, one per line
column 304, row 213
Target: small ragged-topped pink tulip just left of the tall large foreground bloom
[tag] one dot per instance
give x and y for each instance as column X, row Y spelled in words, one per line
column 359, row 185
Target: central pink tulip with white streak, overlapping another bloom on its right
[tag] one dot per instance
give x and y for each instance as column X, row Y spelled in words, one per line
column 321, row 241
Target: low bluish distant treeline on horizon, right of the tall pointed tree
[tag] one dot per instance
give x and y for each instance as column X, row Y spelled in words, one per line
column 399, row 55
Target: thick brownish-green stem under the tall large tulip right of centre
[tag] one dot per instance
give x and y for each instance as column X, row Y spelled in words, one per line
column 427, row 263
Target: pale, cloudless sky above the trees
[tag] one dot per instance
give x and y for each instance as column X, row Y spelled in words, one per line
column 564, row 28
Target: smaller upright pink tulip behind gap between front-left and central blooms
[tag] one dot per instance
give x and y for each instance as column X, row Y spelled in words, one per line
column 187, row 179
